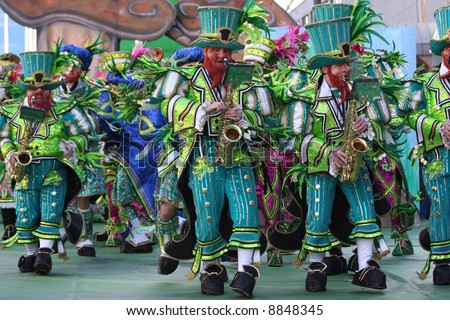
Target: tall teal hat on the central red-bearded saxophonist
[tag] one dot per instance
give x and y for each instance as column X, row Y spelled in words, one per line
column 219, row 27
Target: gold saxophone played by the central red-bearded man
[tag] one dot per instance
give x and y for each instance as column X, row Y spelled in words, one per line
column 229, row 133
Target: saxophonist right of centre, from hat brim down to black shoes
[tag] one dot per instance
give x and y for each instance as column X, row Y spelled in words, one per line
column 326, row 128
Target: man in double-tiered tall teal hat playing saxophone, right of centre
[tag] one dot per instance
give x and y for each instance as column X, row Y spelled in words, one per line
column 336, row 120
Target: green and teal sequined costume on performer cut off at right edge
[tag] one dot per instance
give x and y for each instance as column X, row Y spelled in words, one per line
column 426, row 111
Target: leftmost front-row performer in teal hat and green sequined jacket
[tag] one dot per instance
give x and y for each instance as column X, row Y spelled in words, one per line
column 41, row 143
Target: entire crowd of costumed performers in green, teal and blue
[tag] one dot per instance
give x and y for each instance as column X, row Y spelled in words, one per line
column 238, row 147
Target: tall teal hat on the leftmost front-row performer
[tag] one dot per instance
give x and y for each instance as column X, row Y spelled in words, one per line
column 37, row 71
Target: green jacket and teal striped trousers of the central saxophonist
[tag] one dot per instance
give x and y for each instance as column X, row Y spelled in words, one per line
column 198, row 134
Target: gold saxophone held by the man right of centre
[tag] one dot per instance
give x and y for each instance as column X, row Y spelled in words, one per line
column 354, row 147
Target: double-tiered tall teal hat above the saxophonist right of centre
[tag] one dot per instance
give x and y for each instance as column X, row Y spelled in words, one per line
column 330, row 35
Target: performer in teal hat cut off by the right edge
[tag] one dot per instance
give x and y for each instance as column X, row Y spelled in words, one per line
column 426, row 111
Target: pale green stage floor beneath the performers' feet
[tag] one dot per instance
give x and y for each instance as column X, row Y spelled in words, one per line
column 117, row 276
